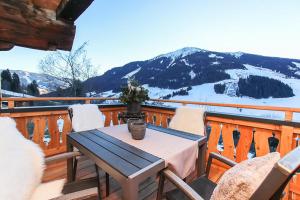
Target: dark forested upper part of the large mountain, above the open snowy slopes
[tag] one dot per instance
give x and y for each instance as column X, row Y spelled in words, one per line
column 190, row 66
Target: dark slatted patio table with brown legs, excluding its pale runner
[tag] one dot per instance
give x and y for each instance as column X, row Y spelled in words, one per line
column 127, row 164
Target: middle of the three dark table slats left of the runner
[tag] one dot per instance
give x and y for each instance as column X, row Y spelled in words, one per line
column 115, row 149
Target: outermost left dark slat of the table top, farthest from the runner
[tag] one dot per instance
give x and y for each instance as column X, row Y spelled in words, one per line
column 112, row 159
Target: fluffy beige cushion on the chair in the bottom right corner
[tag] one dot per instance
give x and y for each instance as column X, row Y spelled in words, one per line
column 241, row 181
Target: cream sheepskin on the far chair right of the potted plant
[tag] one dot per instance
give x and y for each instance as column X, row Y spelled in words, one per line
column 189, row 120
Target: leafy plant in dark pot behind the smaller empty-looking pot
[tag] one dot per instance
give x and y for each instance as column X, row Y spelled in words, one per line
column 133, row 95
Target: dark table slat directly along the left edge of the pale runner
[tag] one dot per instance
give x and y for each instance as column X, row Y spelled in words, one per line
column 128, row 147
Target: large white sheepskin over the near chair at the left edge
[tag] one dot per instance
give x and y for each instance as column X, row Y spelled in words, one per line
column 22, row 163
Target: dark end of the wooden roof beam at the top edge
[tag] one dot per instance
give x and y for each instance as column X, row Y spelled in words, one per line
column 71, row 9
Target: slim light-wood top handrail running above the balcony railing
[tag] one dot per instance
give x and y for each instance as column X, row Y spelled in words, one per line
column 245, row 106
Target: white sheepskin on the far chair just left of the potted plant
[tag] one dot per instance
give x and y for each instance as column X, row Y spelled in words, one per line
column 86, row 117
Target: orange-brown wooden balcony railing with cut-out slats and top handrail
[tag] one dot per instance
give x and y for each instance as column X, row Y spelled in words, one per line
column 234, row 136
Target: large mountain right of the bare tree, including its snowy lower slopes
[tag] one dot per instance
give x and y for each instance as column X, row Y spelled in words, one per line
column 193, row 73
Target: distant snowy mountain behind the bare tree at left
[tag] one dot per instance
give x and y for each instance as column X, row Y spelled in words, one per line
column 45, row 82
